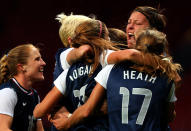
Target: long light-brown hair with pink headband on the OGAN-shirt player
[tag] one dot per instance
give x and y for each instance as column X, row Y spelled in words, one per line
column 93, row 33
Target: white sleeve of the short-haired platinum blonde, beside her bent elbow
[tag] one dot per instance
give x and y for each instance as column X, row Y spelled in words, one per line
column 65, row 65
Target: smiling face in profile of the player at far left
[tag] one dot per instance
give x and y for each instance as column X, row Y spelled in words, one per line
column 35, row 66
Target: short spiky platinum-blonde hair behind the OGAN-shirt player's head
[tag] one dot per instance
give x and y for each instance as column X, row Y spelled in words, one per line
column 68, row 25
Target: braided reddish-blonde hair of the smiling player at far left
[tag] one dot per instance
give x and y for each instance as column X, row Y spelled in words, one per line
column 8, row 63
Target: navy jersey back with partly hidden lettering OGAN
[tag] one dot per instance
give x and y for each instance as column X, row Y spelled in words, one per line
column 79, row 83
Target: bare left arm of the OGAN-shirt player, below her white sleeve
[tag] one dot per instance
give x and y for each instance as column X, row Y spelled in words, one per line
column 50, row 100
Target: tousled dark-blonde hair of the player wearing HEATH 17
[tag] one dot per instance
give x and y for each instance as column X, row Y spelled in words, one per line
column 153, row 42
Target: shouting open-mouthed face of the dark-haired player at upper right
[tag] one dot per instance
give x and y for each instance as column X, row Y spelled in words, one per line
column 137, row 21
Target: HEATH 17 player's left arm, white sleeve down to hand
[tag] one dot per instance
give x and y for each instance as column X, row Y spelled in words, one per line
column 94, row 102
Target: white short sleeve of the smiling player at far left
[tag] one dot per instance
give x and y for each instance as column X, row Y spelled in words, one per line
column 8, row 101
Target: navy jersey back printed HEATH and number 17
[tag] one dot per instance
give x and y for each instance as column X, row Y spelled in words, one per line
column 136, row 100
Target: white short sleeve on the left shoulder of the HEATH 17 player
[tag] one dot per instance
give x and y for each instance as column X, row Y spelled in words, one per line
column 103, row 75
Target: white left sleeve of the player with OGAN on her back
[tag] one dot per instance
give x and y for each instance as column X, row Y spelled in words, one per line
column 60, row 82
